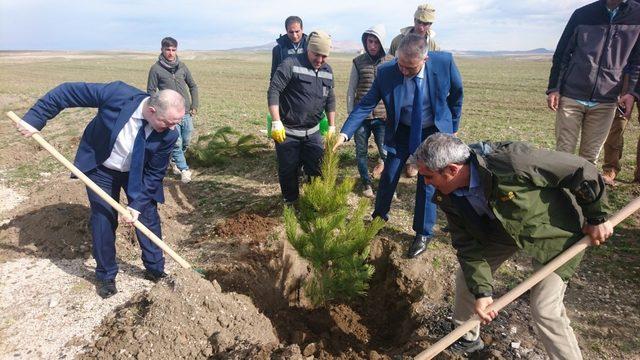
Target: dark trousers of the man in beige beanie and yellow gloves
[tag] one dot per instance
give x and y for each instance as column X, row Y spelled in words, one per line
column 292, row 152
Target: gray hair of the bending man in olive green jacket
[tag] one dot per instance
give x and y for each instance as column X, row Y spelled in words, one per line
column 440, row 150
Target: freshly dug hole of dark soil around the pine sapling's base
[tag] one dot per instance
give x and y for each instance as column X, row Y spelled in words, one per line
column 270, row 274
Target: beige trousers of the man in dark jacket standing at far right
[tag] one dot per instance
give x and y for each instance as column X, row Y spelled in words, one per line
column 591, row 125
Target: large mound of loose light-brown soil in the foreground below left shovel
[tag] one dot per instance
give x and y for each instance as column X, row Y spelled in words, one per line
column 183, row 317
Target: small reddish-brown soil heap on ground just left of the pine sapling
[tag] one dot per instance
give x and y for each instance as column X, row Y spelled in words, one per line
column 243, row 224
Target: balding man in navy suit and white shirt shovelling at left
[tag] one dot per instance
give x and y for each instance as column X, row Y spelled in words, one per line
column 126, row 146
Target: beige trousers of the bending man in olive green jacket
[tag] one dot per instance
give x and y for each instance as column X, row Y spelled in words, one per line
column 547, row 309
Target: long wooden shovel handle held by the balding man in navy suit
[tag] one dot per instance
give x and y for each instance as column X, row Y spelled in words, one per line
column 90, row 184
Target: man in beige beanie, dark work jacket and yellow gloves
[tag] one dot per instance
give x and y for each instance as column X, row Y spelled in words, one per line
column 300, row 91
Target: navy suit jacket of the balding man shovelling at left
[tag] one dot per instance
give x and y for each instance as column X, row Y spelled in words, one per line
column 116, row 102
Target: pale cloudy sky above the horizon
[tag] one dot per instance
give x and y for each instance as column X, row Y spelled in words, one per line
column 219, row 24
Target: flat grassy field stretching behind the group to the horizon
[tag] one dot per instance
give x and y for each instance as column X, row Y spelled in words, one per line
column 504, row 97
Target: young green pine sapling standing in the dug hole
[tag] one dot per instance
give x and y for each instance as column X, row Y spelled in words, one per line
column 332, row 236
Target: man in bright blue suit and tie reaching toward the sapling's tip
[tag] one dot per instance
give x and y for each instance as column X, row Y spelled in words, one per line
column 432, row 85
